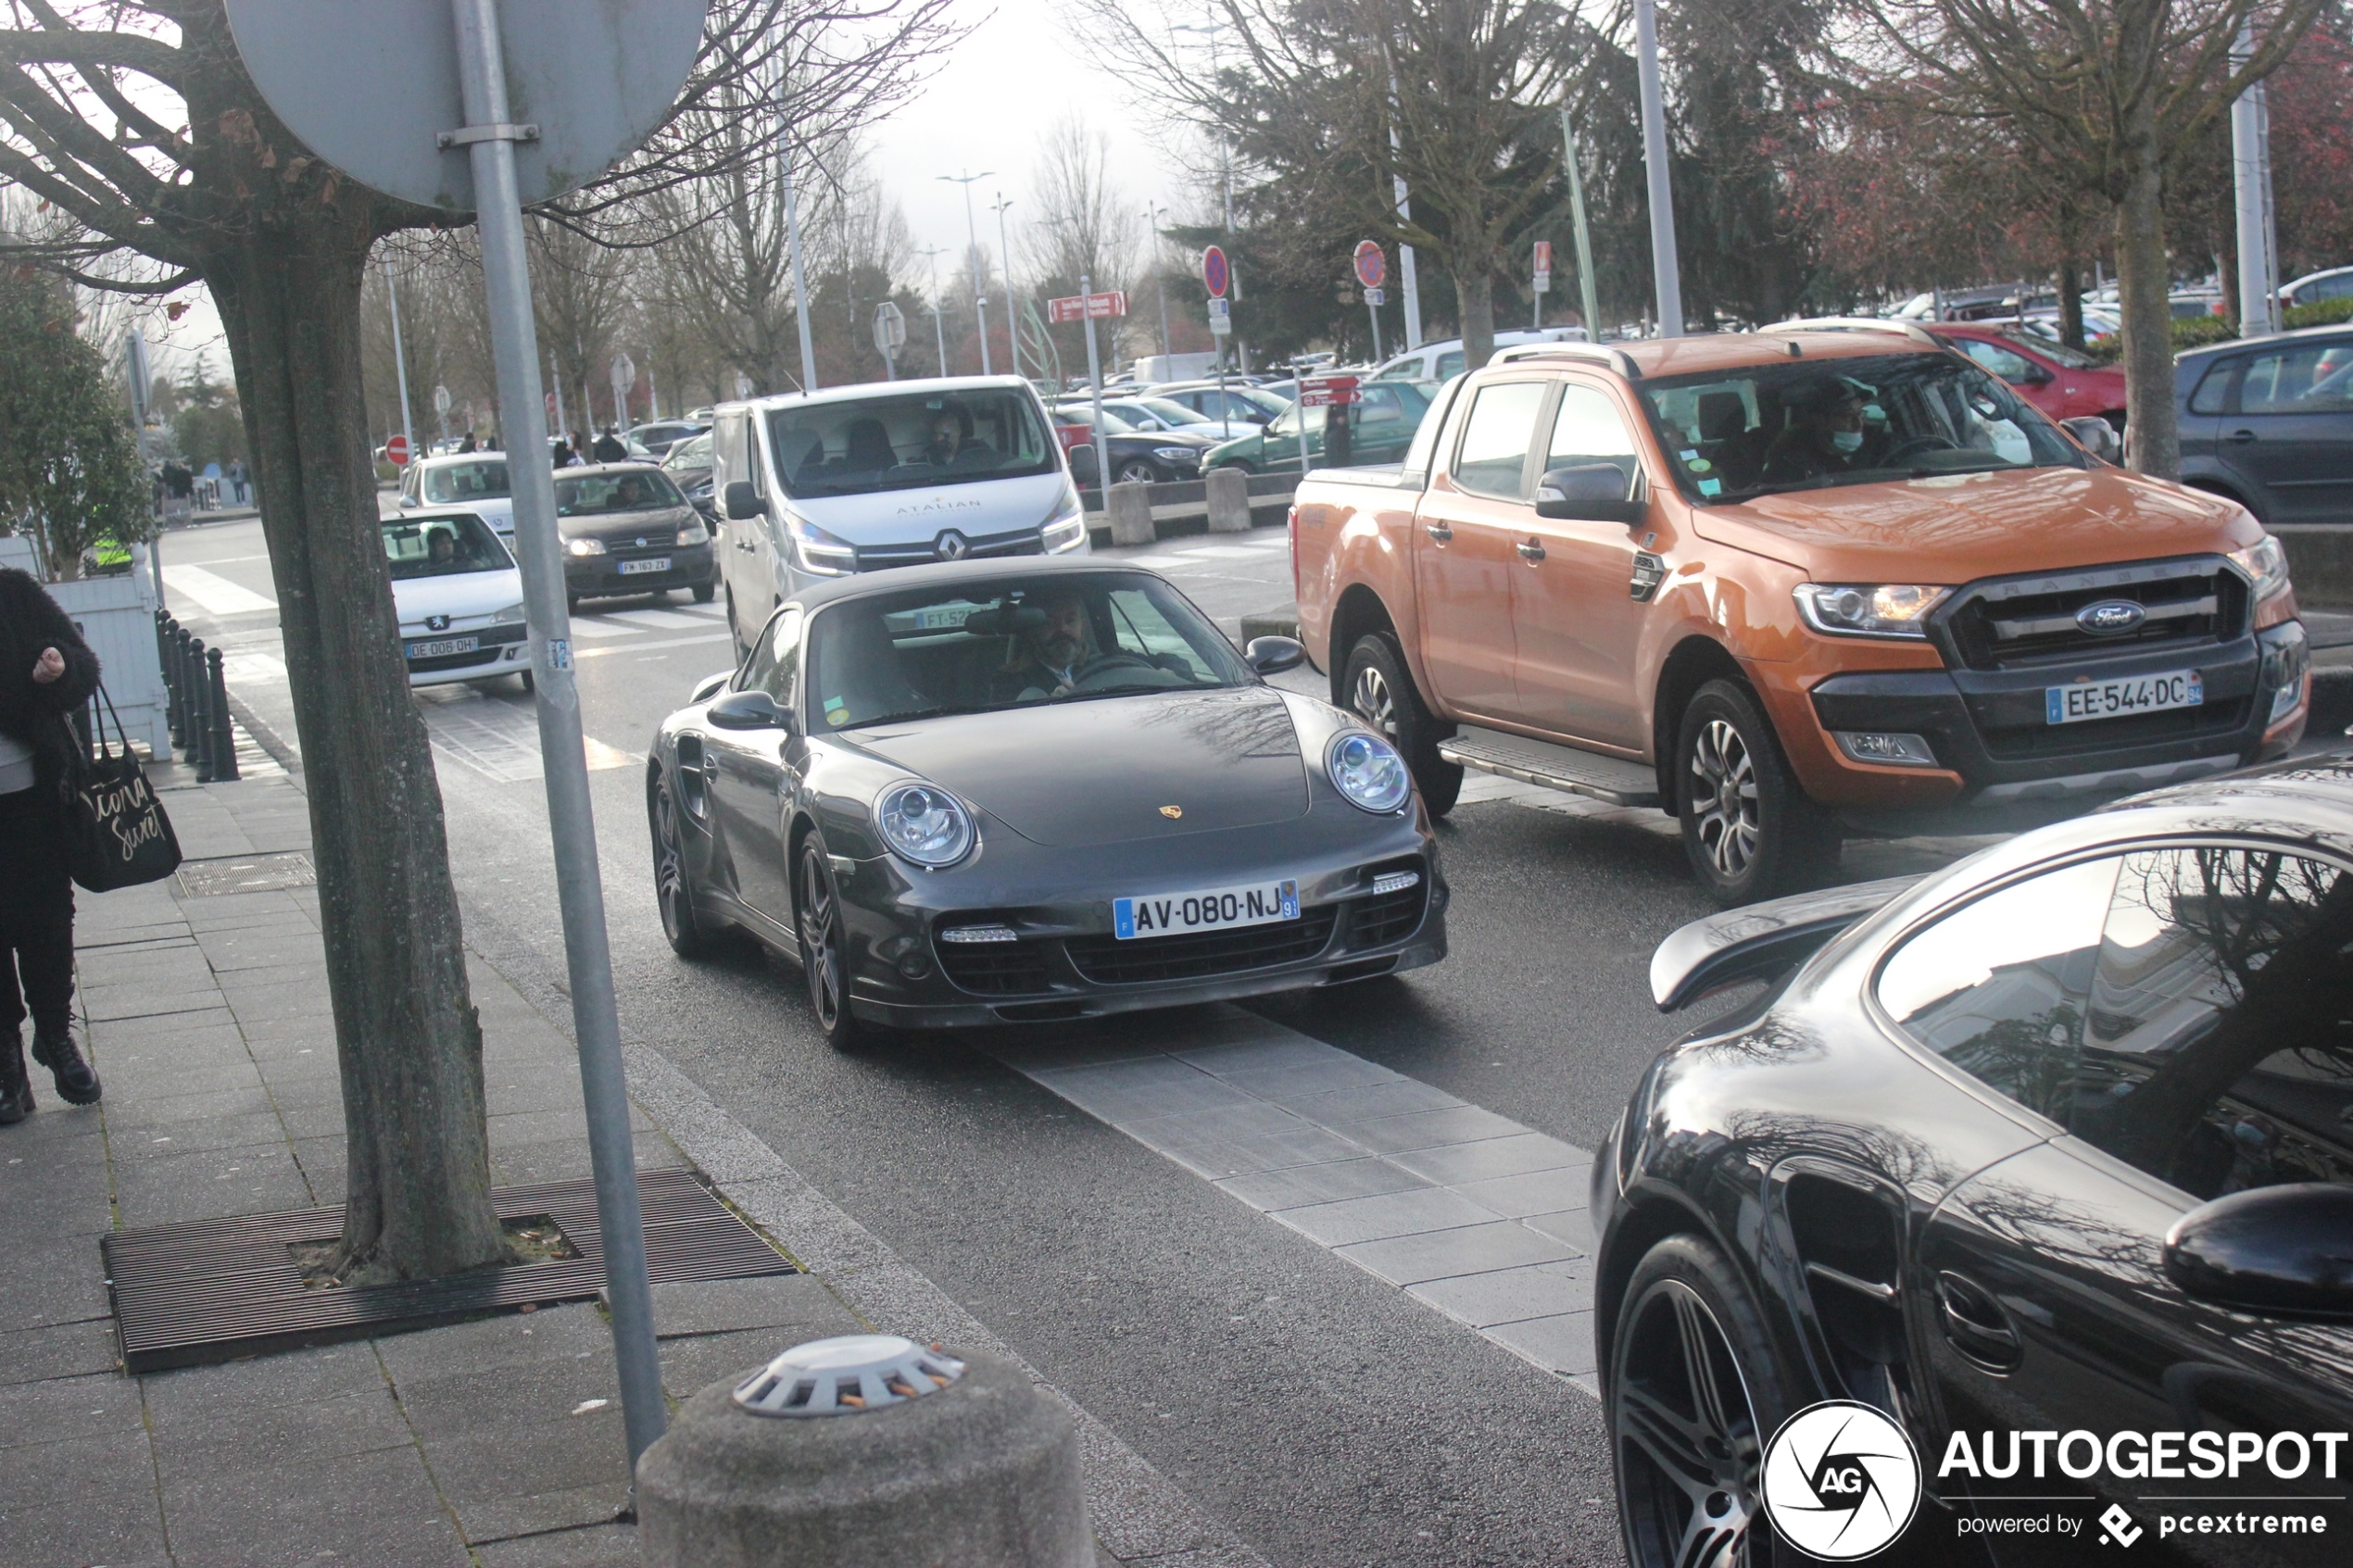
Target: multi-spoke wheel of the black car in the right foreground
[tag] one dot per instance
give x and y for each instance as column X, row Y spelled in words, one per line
column 1693, row 1400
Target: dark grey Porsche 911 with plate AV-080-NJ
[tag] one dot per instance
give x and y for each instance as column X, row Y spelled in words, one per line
column 985, row 793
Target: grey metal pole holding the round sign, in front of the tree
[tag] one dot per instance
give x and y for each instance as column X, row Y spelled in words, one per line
column 580, row 887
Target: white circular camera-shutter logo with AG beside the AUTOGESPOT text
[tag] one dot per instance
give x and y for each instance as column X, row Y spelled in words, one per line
column 1841, row 1482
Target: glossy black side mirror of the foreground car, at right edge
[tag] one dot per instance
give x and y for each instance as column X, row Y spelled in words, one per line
column 2272, row 1249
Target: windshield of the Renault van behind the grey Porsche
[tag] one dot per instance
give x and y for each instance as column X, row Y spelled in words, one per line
column 867, row 445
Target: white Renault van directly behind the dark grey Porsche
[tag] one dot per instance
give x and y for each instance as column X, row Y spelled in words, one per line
column 879, row 476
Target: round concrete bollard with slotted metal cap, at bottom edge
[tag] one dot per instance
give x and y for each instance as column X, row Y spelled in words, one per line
column 867, row 1452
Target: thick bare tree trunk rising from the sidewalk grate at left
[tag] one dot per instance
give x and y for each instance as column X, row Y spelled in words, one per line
column 408, row 1040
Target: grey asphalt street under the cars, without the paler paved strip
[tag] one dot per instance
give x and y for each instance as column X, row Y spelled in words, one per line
column 1324, row 1414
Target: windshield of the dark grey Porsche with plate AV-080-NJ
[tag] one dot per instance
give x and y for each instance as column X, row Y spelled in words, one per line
column 1011, row 643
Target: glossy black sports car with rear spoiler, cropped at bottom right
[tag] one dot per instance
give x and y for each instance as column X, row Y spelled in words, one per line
column 2015, row 1221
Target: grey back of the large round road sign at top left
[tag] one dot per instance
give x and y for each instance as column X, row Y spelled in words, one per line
column 371, row 83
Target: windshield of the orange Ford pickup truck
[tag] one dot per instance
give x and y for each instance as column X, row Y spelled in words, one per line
column 1818, row 424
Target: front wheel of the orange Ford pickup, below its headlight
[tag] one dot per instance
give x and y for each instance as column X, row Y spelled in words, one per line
column 1747, row 824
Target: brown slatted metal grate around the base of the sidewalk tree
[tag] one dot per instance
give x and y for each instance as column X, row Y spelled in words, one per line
column 225, row 1289
